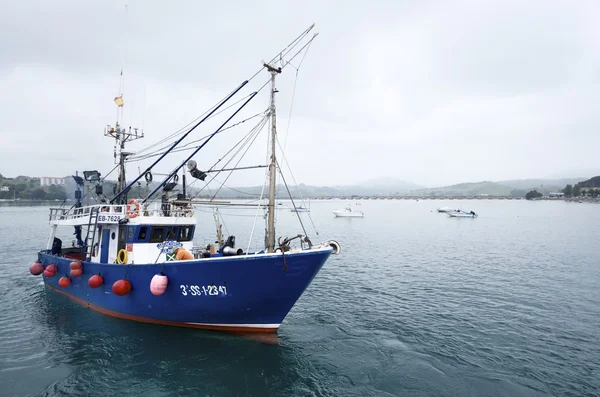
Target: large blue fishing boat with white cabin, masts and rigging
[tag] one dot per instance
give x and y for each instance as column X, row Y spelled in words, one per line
column 135, row 257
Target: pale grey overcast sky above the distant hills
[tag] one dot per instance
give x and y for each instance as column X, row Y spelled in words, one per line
column 431, row 92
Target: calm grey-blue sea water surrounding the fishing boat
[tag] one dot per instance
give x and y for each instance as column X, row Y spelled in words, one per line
column 417, row 304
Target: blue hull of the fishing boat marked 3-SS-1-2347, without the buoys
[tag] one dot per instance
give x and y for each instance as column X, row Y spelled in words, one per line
column 240, row 293
